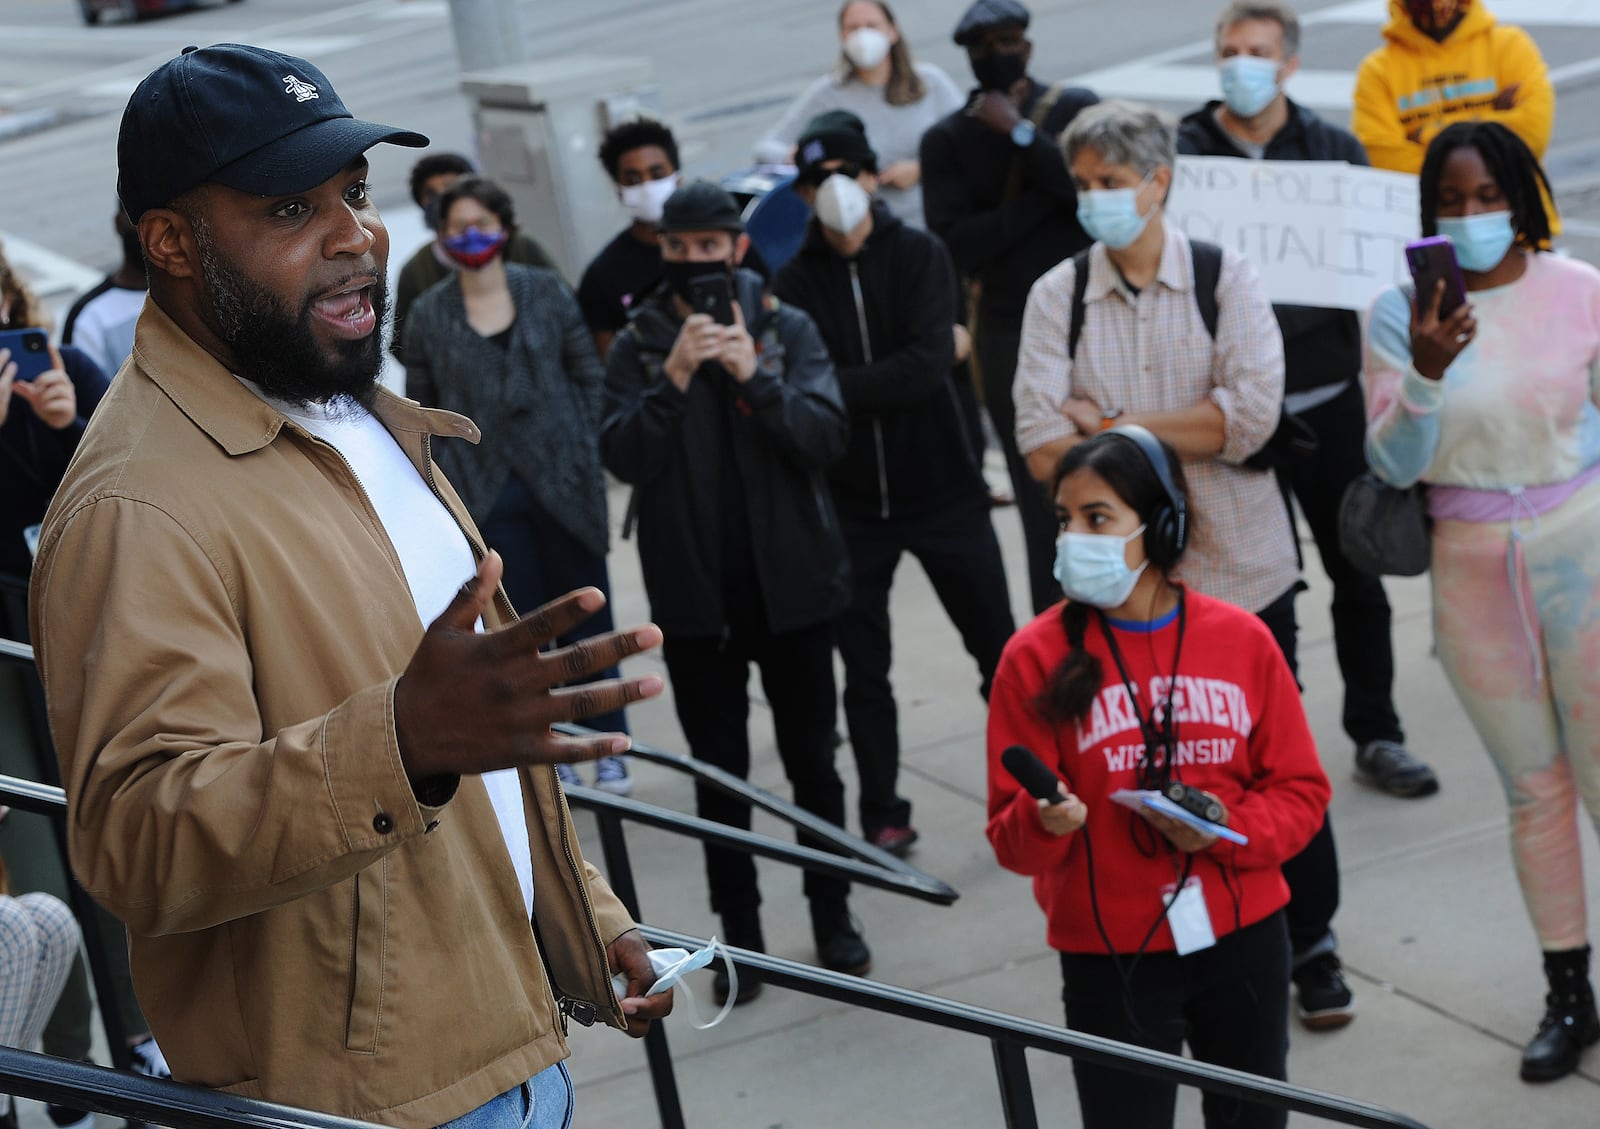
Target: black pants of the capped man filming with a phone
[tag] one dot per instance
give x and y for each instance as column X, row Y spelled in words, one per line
column 710, row 680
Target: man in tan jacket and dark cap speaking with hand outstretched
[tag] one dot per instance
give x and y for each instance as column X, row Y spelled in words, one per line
column 273, row 640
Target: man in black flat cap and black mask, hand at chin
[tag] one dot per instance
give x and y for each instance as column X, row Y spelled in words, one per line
column 996, row 189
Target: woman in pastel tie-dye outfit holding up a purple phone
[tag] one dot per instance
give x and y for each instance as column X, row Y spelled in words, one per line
column 1484, row 386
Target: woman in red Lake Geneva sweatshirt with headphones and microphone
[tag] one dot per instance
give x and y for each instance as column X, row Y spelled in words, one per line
column 1130, row 685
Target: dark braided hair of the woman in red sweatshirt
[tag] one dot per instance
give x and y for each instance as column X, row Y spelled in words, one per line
column 1129, row 473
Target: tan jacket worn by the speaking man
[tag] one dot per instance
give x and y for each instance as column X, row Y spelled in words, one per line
column 222, row 621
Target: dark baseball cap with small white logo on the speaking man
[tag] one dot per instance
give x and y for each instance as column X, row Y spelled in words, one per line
column 244, row 118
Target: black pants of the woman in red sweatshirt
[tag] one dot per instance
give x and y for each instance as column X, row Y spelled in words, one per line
column 1228, row 1002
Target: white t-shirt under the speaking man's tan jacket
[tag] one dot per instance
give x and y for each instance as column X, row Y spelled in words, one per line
column 434, row 554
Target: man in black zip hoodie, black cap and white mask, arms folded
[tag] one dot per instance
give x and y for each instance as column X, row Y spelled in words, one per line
column 884, row 298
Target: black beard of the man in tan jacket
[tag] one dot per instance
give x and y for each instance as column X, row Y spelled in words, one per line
column 274, row 348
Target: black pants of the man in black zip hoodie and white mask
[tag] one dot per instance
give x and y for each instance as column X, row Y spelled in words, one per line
column 958, row 549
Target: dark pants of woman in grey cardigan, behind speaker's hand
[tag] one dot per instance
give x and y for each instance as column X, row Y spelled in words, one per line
column 543, row 562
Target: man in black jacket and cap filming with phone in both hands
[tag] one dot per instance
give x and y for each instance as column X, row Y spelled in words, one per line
column 724, row 431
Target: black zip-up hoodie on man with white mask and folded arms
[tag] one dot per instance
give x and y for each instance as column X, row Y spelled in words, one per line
column 887, row 319
